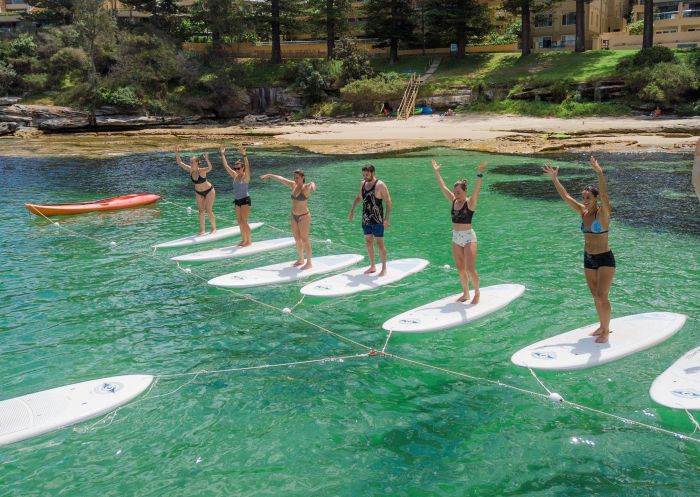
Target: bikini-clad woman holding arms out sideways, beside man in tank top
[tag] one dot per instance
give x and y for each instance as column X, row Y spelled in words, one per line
column 301, row 216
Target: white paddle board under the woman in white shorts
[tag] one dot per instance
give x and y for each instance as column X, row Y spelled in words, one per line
column 448, row 313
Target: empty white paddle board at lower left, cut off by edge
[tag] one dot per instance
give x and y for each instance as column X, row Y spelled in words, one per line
column 31, row 415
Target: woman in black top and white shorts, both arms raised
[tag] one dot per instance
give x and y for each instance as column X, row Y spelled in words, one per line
column 463, row 236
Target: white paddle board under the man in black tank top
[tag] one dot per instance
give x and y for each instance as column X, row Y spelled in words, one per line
column 356, row 281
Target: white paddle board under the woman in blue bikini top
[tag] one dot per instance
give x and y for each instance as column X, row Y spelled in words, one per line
column 577, row 350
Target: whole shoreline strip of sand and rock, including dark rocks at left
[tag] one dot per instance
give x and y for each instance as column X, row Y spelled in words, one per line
column 51, row 130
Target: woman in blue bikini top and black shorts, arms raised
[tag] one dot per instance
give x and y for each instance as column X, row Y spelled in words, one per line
column 598, row 259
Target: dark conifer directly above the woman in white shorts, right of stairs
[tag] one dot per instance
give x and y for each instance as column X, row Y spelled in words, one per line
column 458, row 20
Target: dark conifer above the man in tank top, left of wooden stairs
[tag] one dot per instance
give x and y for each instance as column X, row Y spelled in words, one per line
column 391, row 21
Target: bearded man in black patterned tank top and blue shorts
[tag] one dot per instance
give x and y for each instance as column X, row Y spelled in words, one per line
column 373, row 194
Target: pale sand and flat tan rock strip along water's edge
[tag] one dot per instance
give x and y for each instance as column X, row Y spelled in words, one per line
column 483, row 132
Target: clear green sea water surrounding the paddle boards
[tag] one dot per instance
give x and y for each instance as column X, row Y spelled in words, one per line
column 75, row 308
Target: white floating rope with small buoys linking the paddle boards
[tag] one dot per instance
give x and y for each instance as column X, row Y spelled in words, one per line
column 373, row 352
